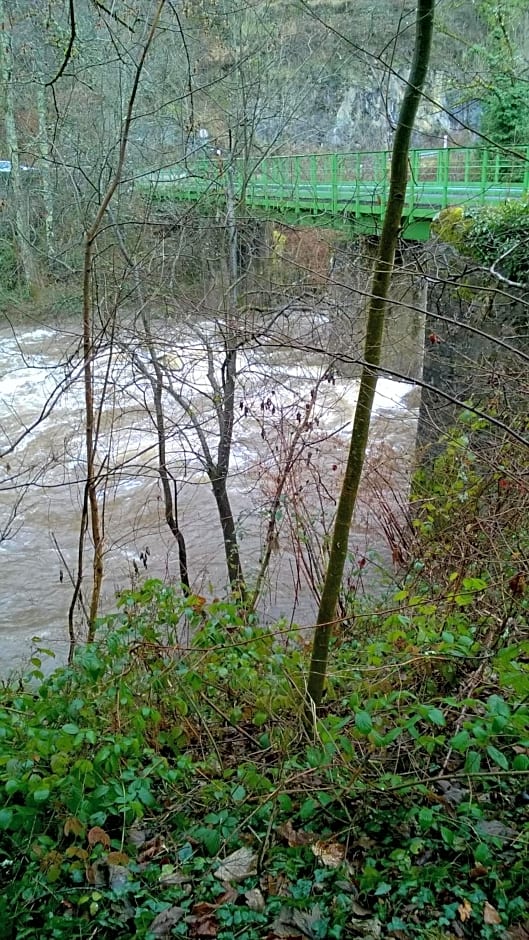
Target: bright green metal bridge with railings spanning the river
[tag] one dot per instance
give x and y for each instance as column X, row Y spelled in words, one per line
column 347, row 190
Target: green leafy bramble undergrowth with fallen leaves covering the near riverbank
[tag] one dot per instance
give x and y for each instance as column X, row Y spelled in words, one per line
column 166, row 783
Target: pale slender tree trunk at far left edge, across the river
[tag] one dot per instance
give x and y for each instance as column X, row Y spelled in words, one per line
column 22, row 224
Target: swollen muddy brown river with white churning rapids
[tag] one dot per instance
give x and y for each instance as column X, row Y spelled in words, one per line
column 42, row 469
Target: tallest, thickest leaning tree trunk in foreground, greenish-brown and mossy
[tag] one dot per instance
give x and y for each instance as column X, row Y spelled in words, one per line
column 372, row 353
